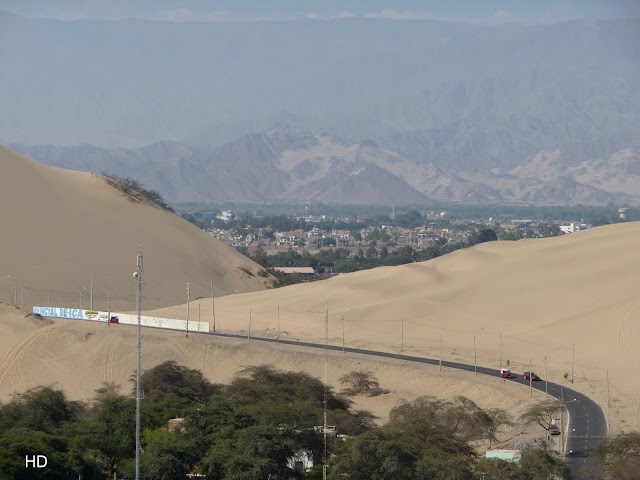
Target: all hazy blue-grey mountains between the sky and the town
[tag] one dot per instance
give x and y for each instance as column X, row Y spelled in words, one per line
column 467, row 113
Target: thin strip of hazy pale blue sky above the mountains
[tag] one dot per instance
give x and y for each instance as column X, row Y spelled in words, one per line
column 475, row 11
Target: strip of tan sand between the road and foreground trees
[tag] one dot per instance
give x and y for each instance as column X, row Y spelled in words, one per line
column 79, row 357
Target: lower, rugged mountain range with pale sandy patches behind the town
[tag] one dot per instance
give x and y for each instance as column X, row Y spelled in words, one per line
column 293, row 164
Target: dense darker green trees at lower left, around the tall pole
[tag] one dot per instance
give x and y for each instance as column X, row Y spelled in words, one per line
column 247, row 429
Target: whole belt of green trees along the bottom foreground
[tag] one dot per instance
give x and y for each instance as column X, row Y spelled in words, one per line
column 252, row 427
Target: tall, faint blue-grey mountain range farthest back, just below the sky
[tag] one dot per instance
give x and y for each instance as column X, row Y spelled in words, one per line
column 460, row 96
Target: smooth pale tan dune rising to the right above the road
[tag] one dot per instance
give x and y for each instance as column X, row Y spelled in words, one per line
column 543, row 296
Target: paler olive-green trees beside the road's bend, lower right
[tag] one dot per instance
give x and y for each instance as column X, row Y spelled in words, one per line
column 430, row 439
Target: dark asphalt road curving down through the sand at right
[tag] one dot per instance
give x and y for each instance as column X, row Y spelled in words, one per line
column 587, row 424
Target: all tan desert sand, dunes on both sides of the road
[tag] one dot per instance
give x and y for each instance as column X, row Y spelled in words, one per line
column 535, row 301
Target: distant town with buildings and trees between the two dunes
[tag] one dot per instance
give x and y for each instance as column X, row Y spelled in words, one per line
column 306, row 246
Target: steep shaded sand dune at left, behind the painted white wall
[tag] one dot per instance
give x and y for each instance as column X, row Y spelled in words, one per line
column 58, row 226
